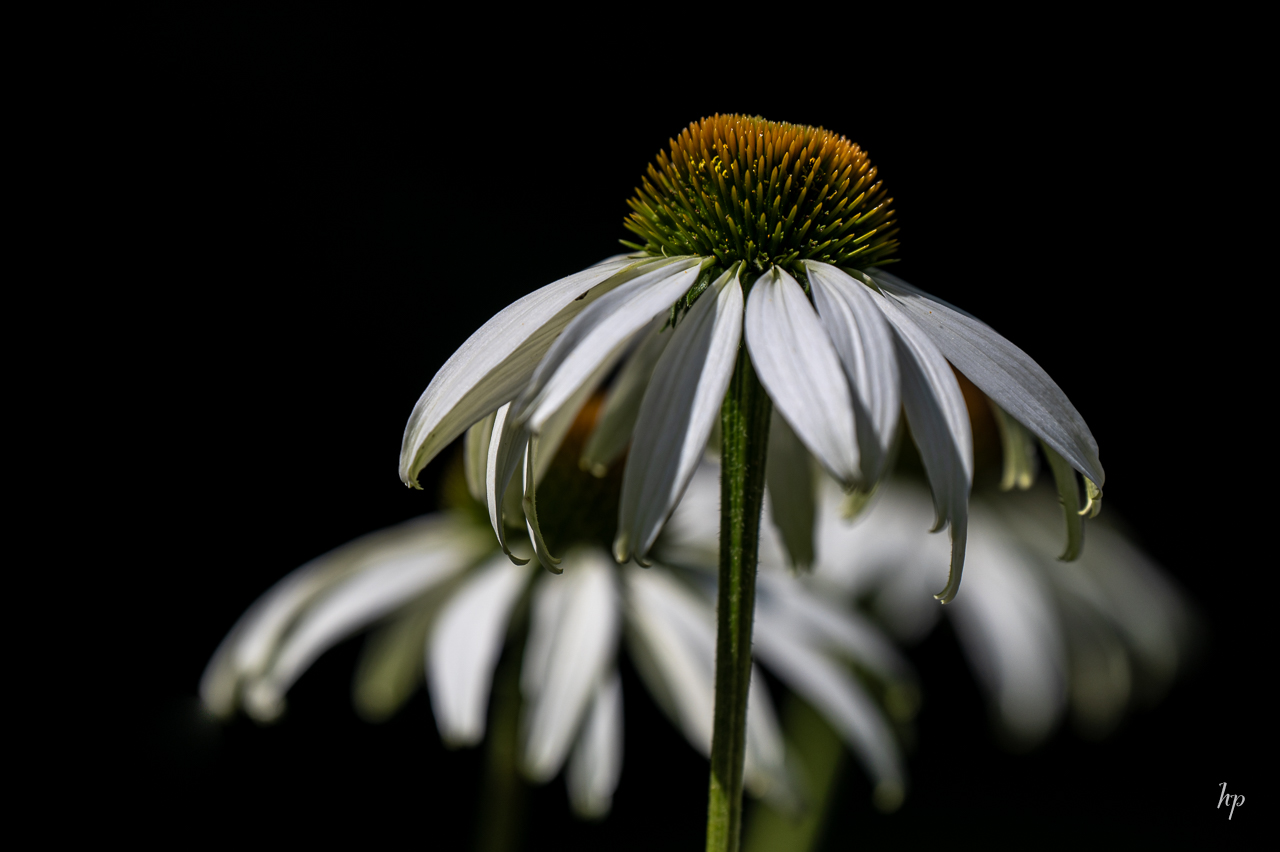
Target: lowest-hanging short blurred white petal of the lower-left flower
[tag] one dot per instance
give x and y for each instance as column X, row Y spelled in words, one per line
column 596, row 764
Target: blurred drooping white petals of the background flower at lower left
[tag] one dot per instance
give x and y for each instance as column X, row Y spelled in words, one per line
column 445, row 596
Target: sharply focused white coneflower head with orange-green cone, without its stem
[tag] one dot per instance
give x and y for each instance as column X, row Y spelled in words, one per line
column 757, row 233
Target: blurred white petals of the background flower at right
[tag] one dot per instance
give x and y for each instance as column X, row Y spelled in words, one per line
column 1095, row 636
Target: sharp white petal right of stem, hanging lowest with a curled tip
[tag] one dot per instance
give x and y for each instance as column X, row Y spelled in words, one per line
column 940, row 424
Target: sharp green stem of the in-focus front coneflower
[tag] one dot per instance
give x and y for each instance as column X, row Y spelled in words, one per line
column 744, row 441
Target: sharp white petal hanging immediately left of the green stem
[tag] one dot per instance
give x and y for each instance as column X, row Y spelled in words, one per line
column 682, row 404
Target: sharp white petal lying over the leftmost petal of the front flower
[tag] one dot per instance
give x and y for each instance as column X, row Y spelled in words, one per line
column 600, row 336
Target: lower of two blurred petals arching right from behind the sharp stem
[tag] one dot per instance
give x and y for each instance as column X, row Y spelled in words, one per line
column 834, row 693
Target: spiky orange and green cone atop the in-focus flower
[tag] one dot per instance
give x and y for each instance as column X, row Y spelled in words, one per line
column 766, row 194
